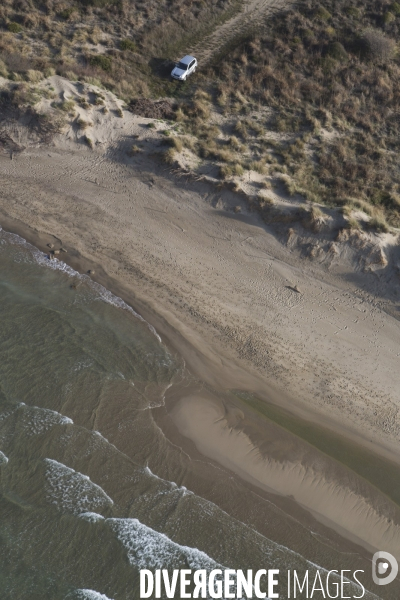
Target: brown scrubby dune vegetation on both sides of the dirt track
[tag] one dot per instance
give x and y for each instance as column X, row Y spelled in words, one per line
column 309, row 99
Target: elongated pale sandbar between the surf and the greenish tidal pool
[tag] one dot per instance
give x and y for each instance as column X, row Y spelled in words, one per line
column 288, row 468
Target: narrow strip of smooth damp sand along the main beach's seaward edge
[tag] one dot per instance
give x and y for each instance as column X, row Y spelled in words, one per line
column 206, row 366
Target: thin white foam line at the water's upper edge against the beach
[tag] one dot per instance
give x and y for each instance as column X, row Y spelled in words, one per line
column 58, row 265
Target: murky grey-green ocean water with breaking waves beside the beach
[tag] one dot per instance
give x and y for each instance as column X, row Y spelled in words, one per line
column 91, row 490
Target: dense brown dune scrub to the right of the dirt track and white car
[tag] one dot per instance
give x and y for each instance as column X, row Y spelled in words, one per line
column 331, row 76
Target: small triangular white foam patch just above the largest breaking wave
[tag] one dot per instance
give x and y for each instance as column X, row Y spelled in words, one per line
column 72, row 491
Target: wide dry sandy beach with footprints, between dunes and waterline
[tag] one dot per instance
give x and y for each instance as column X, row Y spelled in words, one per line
column 223, row 282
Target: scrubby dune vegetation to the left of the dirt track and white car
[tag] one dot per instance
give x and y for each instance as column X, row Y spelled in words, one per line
column 120, row 44
